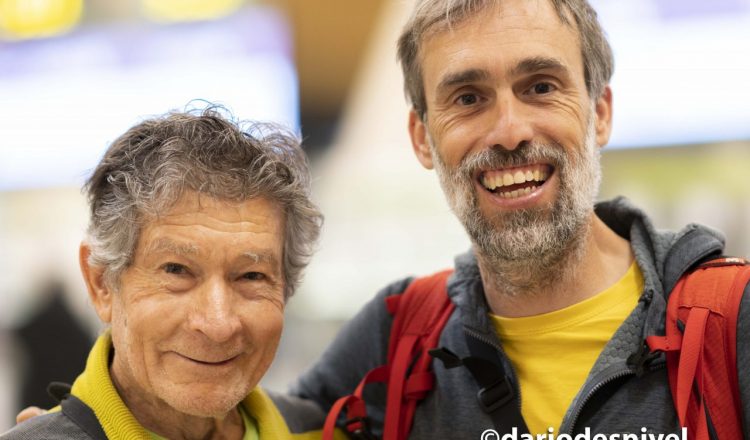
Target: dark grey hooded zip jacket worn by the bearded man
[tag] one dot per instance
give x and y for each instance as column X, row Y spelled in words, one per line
column 624, row 392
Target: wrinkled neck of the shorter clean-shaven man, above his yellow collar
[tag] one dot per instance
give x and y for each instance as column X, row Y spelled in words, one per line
column 157, row 416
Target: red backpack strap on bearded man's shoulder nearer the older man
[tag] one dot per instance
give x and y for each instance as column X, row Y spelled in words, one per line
column 420, row 313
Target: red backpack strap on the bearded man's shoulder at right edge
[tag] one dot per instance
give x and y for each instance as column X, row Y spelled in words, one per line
column 701, row 348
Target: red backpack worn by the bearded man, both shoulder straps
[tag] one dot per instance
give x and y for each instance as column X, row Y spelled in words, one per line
column 705, row 303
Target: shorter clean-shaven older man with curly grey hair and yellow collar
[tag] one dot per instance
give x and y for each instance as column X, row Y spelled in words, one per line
column 199, row 233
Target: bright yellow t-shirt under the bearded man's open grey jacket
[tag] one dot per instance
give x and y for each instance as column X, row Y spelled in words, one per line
column 553, row 353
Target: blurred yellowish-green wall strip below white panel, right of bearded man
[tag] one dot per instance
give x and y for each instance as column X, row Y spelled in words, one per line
column 692, row 183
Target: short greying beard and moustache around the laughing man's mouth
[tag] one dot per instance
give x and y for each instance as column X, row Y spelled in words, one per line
column 527, row 251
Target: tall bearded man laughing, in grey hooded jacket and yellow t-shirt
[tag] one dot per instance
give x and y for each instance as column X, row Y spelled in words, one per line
column 511, row 106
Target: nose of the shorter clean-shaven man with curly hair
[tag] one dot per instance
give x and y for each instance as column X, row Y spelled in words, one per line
column 214, row 312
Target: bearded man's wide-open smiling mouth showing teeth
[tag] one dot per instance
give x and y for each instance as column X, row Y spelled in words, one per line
column 516, row 182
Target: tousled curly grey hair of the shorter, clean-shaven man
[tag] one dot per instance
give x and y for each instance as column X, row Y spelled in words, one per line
column 147, row 169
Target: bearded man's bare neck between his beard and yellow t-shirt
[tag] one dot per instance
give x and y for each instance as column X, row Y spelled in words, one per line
column 586, row 267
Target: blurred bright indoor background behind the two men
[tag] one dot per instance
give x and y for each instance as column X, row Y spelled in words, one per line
column 74, row 74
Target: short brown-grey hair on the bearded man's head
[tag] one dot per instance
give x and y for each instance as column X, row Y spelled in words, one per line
column 438, row 15
